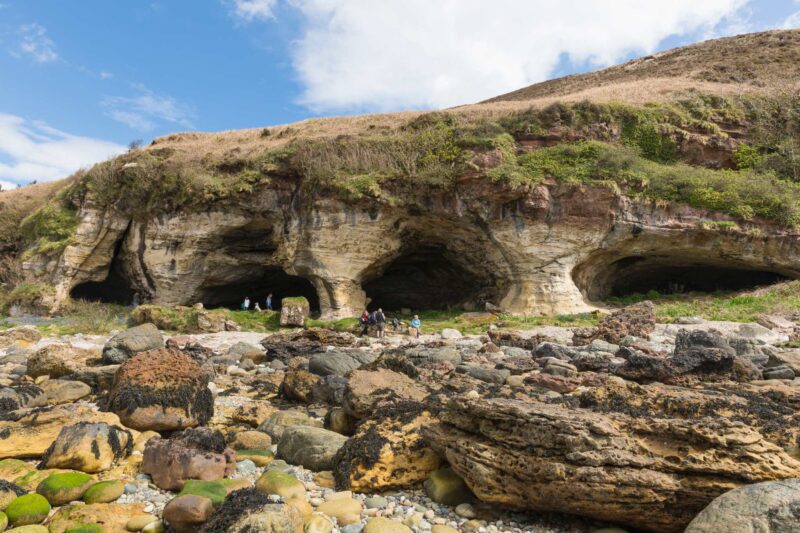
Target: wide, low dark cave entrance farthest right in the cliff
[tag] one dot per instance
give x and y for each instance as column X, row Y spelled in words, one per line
column 640, row 275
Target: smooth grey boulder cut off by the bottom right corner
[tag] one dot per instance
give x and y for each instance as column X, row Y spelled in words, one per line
column 769, row 507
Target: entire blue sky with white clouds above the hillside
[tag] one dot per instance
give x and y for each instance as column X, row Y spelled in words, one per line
column 80, row 79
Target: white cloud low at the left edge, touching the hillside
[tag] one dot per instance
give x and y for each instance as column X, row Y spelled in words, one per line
column 35, row 151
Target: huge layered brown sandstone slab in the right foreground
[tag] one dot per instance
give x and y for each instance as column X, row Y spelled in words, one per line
column 616, row 458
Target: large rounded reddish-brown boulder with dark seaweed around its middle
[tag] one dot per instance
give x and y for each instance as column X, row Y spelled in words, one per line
column 161, row 390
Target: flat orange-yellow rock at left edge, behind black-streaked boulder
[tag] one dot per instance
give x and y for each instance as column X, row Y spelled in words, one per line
column 28, row 433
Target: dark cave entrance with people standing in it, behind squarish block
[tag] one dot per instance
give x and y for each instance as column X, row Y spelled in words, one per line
column 256, row 283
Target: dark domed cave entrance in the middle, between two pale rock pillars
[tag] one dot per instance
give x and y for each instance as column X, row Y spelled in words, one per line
column 428, row 278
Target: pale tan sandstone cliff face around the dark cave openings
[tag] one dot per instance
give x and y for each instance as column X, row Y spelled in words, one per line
column 563, row 247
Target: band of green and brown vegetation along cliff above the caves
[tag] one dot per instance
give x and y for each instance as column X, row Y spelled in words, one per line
column 642, row 150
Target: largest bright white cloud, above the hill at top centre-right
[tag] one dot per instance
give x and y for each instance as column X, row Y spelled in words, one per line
column 364, row 54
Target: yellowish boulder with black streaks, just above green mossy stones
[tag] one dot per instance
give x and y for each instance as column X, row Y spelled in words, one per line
column 88, row 447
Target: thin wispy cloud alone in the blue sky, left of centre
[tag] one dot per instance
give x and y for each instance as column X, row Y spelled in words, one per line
column 146, row 109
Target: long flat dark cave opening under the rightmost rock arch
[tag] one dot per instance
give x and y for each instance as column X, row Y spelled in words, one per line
column 605, row 277
